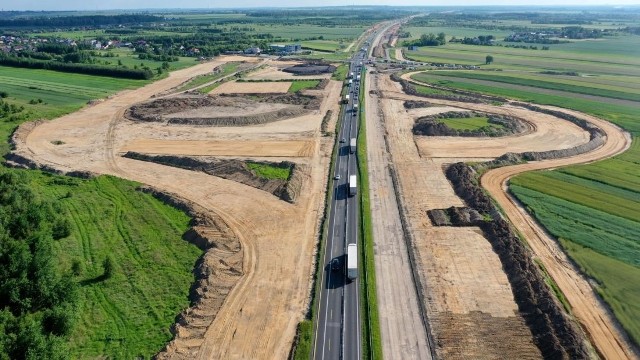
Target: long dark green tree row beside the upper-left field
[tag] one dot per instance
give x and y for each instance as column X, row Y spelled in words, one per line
column 89, row 69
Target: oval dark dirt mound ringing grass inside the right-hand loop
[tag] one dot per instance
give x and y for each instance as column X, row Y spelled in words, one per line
column 505, row 125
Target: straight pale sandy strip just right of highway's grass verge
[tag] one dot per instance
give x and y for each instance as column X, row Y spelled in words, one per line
column 403, row 334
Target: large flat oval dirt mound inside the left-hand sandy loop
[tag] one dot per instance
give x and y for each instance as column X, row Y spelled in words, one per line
column 223, row 110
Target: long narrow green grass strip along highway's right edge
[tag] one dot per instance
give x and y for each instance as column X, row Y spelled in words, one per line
column 370, row 323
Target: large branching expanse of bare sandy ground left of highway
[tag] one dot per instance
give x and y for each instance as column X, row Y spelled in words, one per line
column 259, row 316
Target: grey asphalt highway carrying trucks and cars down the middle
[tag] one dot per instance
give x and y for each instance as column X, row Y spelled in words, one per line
column 338, row 332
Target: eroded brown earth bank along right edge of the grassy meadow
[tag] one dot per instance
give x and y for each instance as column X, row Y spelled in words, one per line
column 216, row 272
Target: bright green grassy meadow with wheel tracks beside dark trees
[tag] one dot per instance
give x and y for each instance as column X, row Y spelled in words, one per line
column 129, row 314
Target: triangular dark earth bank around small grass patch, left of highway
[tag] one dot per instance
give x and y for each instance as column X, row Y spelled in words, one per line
column 235, row 170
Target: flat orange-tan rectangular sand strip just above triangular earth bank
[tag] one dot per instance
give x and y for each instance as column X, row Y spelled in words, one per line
column 292, row 148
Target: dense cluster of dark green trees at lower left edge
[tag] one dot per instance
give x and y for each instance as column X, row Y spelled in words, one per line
column 37, row 302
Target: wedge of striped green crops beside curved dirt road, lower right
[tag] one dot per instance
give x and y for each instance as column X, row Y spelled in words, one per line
column 604, row 245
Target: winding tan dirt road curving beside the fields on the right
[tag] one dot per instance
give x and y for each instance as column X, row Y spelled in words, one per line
column 598, row 322
